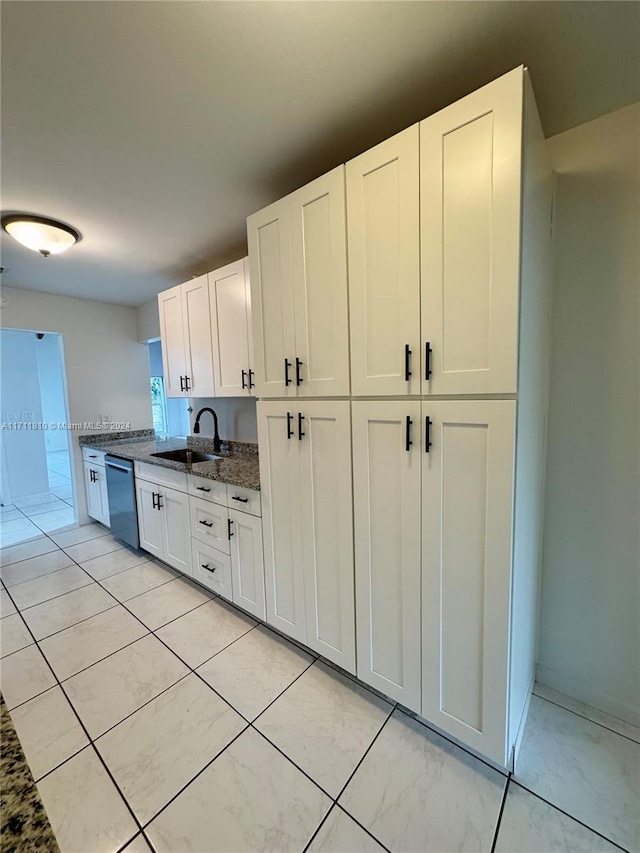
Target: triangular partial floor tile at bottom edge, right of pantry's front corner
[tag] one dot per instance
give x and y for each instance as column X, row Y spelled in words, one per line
column 529, row 825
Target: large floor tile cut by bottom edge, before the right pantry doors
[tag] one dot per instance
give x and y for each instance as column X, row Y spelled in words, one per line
column 417, row 791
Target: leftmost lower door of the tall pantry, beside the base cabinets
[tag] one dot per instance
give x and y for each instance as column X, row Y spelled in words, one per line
column 280, row 487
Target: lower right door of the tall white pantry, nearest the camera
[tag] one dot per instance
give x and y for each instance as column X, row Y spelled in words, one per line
column 466, row 556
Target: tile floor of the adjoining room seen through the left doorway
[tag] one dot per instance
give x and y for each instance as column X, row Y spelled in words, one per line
column 29, row 517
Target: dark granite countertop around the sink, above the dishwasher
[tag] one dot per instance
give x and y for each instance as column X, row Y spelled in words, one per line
column 238, row 466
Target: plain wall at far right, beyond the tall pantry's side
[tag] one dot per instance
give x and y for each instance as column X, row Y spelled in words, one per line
column 589, row 645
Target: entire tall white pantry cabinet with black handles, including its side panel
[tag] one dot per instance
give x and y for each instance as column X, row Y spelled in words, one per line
column 431, row 506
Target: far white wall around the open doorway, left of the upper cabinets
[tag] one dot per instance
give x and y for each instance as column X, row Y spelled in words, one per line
column 107, row 369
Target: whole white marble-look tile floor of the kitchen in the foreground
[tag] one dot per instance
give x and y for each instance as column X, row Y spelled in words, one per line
column 187, row 726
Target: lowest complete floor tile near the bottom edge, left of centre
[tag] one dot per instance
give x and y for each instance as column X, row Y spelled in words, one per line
column 161, row 747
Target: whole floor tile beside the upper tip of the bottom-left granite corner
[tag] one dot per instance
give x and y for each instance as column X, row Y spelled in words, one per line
column 49, row 731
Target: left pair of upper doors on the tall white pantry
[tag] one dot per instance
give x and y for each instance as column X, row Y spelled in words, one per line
column 298, row 263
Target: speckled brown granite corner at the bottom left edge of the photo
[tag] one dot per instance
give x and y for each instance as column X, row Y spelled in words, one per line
column 23, row 821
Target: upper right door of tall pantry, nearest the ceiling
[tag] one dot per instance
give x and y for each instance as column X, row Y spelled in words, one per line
column 470, row 173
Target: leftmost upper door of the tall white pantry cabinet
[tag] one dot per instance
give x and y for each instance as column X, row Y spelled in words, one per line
column 268, row 235
